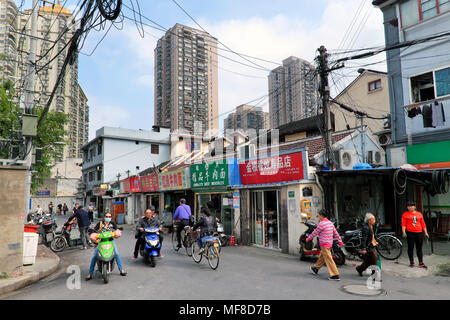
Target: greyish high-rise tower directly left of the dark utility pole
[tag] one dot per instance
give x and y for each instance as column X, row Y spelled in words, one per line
column 292, row 92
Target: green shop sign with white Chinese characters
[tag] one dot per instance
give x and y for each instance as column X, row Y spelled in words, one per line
column 209, row 174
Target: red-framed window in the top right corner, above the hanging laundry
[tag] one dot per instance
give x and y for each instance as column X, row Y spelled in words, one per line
column 413, row 11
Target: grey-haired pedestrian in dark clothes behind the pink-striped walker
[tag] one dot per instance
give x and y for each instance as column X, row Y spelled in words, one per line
column 368, row 244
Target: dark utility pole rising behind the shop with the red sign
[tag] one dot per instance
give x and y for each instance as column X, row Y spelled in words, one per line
column 324, row 91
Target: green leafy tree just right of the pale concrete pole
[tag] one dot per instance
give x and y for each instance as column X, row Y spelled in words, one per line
column 50, row 138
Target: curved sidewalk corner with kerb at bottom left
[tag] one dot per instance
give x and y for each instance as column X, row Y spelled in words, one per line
column 45, row 264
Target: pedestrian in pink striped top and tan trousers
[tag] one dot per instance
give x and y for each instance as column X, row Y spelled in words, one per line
column 326, row 232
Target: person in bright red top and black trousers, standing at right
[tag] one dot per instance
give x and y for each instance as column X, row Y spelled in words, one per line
column 414, row 229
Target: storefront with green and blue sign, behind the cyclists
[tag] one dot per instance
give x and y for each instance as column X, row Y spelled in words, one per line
column 214, row 185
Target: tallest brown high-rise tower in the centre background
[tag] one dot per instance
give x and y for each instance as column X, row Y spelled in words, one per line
column 186, row 80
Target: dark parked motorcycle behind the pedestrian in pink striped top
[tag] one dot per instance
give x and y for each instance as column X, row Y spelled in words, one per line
column 312, row 249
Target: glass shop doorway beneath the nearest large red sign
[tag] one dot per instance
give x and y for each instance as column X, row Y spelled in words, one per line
column 265, row 227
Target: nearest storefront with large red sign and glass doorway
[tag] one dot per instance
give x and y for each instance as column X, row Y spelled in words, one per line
column 271, row 199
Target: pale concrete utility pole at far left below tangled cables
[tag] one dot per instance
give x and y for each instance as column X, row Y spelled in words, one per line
column 29, row 108
